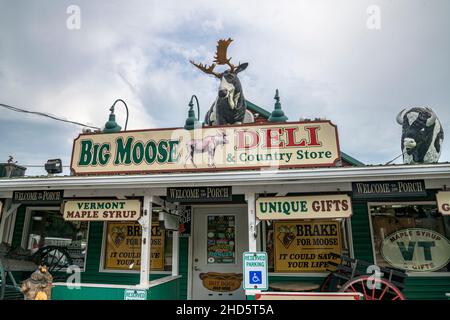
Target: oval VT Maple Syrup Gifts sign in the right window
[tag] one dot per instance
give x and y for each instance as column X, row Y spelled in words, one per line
column 415, row 249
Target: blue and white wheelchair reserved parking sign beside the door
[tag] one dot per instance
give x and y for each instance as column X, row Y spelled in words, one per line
column 255, row 271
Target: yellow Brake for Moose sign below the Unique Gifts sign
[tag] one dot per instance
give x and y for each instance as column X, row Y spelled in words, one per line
column 306, row 246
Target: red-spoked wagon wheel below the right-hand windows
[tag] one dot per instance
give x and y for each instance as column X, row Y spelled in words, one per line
column 381, row 288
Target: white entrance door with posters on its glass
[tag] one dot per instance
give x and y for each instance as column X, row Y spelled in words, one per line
column 219, row 240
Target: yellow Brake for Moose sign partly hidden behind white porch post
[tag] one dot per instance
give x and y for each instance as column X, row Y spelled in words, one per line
column 123, row 246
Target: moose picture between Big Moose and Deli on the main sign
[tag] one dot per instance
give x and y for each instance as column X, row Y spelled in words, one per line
column 208, row 144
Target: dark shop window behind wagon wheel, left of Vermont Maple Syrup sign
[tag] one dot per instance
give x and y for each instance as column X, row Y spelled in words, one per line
column 48, row 228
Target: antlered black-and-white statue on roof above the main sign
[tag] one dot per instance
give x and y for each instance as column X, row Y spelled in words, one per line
column 230, row 106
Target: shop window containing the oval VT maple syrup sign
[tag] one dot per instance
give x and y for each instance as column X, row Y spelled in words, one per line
column 411, row 237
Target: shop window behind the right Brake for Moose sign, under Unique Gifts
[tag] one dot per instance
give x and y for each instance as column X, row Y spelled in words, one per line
column 305, row 245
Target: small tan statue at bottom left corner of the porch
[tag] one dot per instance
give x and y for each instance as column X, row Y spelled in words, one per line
column 38, row 286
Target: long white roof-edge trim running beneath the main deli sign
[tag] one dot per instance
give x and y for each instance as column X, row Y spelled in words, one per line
column 249, row 177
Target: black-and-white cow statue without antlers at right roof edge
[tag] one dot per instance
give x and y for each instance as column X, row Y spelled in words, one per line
column 422, row 135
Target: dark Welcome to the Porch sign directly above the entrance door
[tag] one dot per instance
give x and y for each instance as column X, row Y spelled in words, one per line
column 199, row 194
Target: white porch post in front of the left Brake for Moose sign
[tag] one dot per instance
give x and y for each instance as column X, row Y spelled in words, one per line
column 146, row 224
